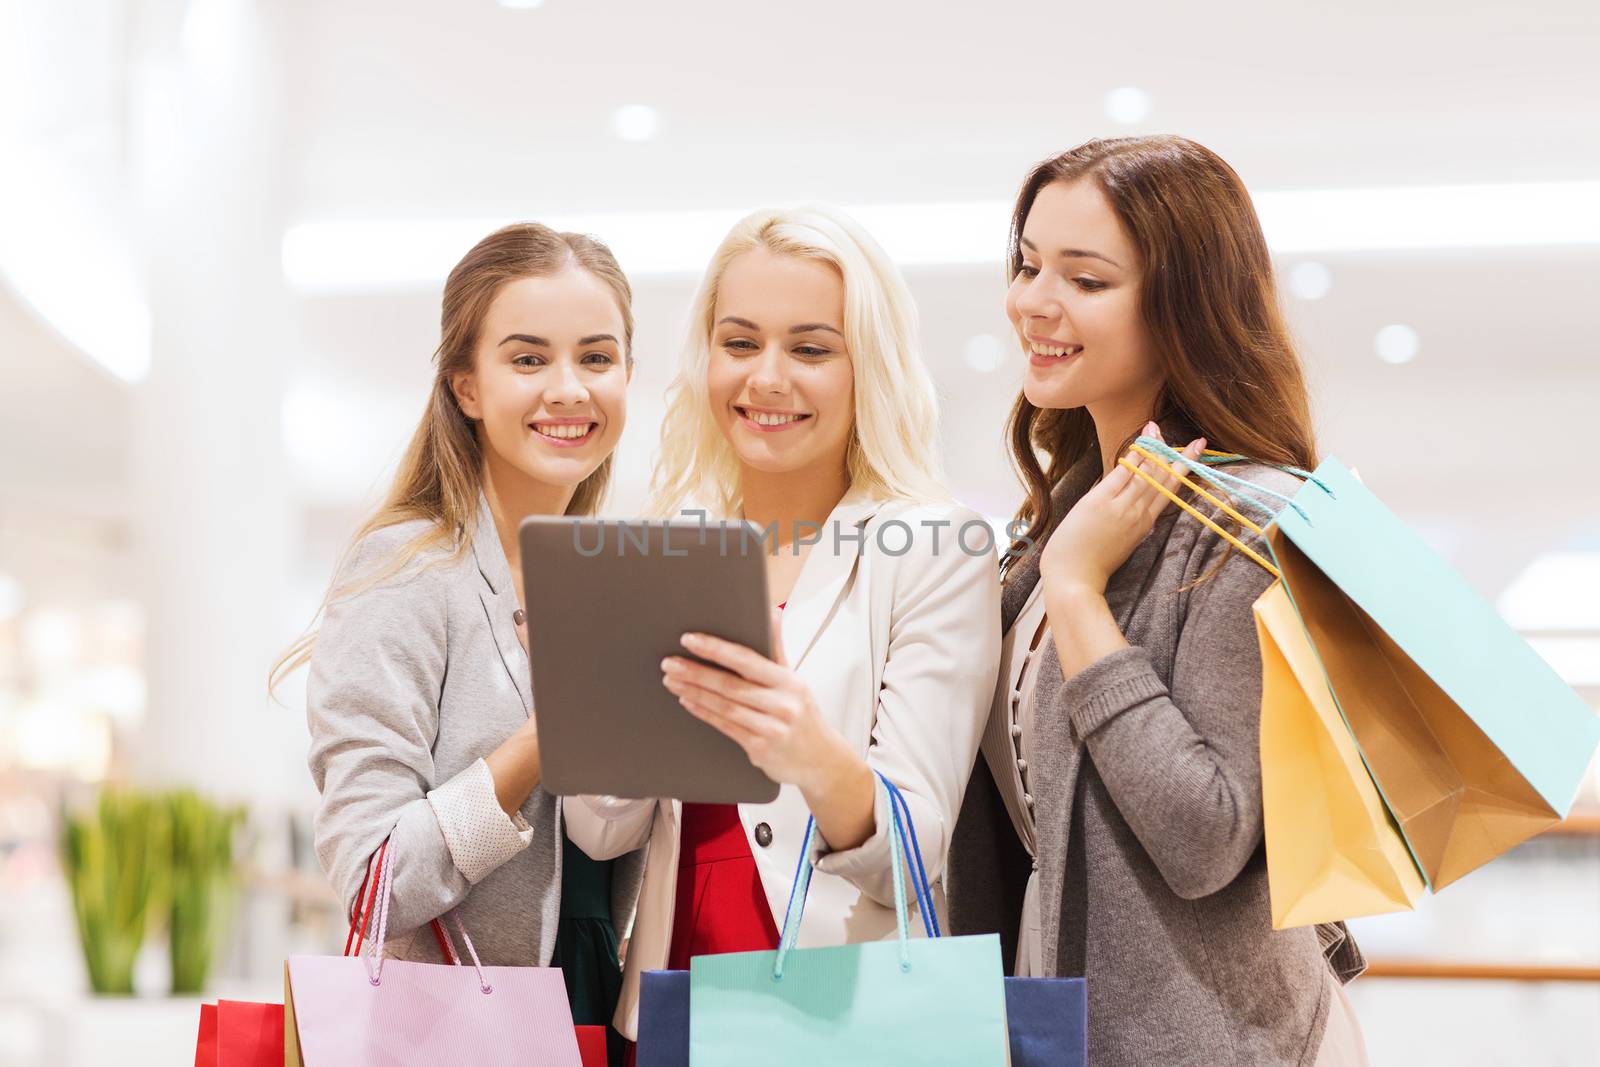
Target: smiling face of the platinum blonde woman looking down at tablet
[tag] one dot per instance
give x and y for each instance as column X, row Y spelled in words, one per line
column 780, row 377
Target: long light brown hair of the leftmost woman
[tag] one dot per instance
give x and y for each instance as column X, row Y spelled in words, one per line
column 441, row 474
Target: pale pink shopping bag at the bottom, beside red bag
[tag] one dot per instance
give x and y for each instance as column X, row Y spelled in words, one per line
column 370, row 1012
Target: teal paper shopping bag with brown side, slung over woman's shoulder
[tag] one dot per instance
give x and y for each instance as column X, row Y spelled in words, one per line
column 1474, row 741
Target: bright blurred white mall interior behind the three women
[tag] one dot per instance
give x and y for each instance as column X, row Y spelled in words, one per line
column 223, row 233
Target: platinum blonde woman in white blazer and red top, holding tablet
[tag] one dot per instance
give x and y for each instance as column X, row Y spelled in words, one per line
column 804, row 407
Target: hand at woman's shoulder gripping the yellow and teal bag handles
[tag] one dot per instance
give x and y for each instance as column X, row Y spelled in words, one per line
column 1106, row 526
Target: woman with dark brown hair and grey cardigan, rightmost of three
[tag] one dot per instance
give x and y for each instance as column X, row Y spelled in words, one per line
column 1114, row 828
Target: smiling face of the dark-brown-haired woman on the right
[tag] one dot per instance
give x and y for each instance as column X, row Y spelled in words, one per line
column 1074, row 305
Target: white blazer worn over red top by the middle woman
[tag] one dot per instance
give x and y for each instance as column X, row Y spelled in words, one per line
column 902, row 650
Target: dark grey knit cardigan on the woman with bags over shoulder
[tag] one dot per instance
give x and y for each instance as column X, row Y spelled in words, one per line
column 1148, row 809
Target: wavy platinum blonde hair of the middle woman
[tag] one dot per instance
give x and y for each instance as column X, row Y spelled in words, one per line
column 894, row 446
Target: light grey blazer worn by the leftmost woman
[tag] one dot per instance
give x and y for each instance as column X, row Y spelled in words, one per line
column 412, row 684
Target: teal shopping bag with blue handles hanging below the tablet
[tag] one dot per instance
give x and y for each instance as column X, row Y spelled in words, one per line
column 924, row 1002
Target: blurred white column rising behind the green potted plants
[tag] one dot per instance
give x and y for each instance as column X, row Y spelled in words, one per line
column 212, row 508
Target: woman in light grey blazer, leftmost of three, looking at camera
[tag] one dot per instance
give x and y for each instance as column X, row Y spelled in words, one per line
column 418, row 693
